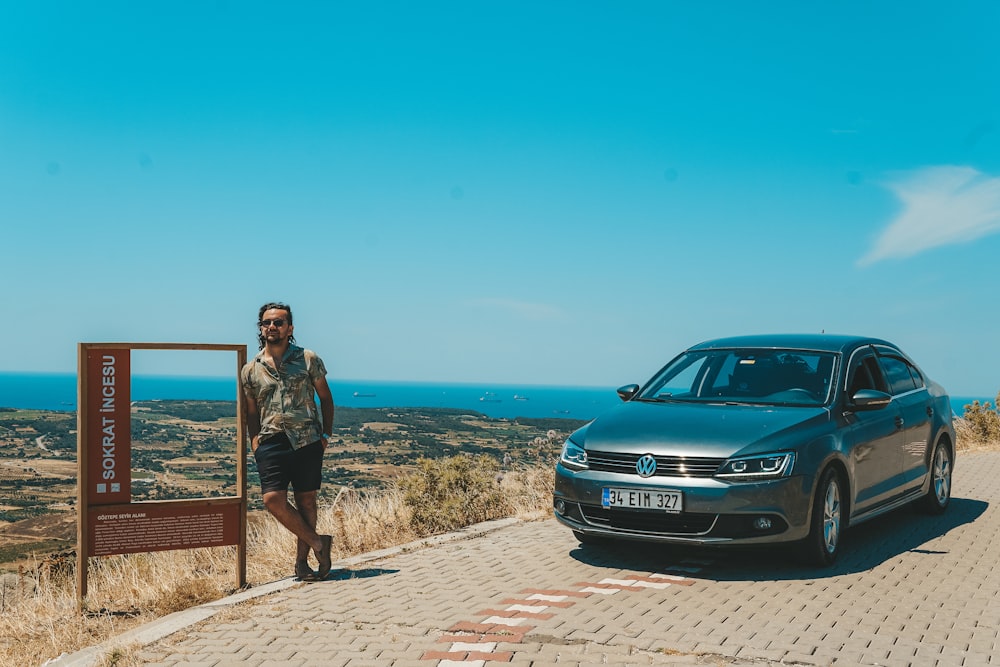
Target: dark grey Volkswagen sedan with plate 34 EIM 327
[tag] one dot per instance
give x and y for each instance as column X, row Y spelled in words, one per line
column 760, row 440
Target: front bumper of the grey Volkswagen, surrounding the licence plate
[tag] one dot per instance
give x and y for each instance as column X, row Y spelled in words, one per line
column 715, row 512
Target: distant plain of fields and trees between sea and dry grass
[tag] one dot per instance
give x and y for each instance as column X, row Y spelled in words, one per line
column 188, row 449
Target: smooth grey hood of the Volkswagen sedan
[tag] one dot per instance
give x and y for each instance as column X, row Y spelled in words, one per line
column 700, row 429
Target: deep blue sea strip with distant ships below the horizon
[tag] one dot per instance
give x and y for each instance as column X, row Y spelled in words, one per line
column 51, row 391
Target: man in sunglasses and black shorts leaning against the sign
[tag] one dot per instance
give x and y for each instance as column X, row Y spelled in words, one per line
column 287, row 433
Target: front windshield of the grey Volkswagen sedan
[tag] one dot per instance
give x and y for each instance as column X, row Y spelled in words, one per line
column 757, row 376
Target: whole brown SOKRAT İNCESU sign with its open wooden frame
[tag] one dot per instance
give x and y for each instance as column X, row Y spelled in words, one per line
column 108, row 522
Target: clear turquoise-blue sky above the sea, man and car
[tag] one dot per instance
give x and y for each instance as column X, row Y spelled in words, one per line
column 562, row 193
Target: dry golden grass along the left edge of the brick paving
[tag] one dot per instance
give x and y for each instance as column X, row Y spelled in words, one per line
column 39, row 617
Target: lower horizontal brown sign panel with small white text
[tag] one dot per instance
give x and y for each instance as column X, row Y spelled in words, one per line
column 139, row 527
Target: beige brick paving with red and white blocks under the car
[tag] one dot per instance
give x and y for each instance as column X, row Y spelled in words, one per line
column 907, row 590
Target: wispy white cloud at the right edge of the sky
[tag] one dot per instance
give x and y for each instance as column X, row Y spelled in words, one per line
column 941, row 206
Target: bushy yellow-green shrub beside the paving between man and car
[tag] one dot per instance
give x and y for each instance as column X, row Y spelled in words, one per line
column 449, row 493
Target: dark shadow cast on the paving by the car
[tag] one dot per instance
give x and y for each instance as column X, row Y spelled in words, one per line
column 863, row 548
